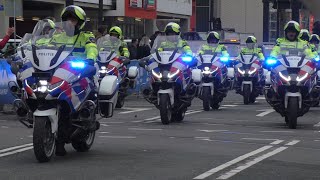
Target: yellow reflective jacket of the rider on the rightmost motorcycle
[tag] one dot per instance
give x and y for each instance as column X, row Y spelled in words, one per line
column 299, row 44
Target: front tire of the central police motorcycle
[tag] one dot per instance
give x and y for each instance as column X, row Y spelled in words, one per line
column 165, row 109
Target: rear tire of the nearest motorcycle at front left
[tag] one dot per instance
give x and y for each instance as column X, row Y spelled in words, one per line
column 84, row 145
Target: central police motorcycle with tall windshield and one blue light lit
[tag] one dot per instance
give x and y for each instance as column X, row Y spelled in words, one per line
column 170, row 88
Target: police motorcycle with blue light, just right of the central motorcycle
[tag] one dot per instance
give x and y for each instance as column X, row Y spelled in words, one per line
column 211, row 76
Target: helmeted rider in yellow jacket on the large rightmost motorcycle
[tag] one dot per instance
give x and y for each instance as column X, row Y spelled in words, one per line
column 291, row 40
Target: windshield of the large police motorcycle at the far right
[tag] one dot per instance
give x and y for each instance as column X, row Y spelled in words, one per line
column 293, row 57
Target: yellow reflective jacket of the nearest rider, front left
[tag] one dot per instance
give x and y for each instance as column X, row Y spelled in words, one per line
column 84, row 44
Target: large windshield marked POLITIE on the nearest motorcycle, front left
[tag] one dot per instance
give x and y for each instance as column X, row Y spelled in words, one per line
column 50, row 45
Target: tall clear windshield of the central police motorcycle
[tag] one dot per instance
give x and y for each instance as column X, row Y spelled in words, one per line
column 167, row 49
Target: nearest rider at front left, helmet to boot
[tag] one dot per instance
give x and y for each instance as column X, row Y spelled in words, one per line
column 84, row 47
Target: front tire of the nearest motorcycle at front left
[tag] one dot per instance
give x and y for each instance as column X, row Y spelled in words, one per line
column 43, row 139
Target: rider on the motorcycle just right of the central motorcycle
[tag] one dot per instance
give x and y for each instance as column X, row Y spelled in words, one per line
column 213, row 46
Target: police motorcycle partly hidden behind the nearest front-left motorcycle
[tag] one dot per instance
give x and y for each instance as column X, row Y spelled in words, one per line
column 113, row 67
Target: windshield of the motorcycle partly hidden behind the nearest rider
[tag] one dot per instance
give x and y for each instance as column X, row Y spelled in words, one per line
column 108, row 47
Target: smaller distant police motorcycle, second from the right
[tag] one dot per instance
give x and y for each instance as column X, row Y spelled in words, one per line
column 249, row 77
